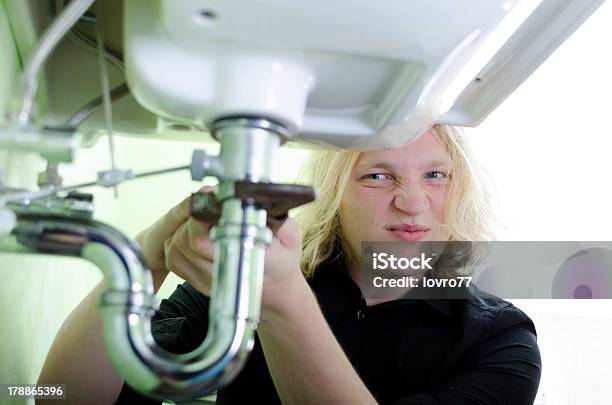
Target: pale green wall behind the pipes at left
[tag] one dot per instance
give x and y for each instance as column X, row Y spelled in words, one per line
column 38, row 292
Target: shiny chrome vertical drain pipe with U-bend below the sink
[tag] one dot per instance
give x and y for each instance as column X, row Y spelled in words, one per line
column 240, row 239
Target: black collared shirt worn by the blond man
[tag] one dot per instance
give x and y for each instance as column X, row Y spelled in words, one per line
column 481, row 350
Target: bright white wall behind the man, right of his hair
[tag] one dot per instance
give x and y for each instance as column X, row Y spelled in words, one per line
column 548, row 149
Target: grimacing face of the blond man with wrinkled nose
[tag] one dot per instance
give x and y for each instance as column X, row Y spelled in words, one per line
column 397, row 194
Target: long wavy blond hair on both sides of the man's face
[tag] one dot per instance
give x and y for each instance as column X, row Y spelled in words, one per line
column 467, row 213
